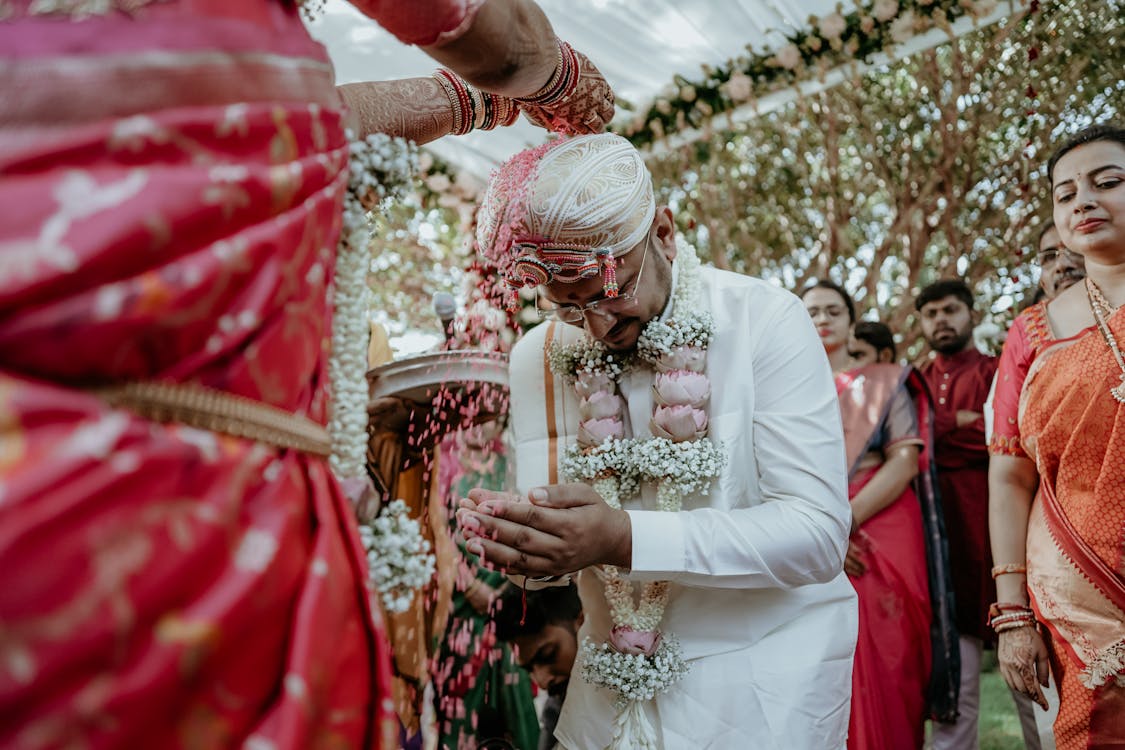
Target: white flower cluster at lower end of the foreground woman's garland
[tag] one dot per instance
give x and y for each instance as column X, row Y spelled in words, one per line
column 398, row 556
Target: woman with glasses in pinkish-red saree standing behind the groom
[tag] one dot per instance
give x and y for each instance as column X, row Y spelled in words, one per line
column 907, row 652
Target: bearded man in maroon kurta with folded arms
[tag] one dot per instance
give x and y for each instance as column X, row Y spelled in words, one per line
column 959, row 379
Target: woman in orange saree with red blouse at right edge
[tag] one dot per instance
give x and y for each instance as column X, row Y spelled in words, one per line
column 1056, row 480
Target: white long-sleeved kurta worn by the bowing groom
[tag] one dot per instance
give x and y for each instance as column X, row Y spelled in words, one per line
column 760, row 602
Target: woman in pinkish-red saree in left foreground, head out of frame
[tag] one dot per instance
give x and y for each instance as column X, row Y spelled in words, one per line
column 172, row 182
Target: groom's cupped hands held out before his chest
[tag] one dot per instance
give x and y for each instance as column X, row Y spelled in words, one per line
column 556, row 530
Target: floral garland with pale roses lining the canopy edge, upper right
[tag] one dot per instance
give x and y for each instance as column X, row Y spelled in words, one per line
column 827, row 42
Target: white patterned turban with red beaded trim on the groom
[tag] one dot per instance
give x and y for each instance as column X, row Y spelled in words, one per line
column 590, row 196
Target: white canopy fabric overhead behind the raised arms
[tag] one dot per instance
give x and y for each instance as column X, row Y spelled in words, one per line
column 640, row 47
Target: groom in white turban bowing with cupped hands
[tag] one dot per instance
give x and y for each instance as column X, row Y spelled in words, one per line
column 755, row 602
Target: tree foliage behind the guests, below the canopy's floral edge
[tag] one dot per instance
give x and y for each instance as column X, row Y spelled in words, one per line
column 929, row 168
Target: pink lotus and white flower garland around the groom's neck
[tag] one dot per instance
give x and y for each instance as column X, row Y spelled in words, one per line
column 640, row 662
